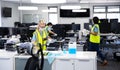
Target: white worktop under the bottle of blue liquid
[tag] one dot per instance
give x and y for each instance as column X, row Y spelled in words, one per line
column 61, row 55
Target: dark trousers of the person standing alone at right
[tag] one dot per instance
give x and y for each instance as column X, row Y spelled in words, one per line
column 95, row 47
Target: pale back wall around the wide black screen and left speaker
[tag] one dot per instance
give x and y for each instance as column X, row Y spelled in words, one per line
column 9, row 22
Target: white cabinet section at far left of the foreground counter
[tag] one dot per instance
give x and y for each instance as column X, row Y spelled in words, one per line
column 7, row 60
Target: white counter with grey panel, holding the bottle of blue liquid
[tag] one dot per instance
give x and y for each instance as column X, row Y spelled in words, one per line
column 80, row 61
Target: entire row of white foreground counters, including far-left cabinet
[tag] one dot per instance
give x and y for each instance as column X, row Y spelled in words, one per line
column 81, row 61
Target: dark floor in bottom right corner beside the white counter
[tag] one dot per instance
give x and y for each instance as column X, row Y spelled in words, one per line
column 112, row 65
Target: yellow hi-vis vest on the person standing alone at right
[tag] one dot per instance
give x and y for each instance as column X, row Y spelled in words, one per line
column 93, row 38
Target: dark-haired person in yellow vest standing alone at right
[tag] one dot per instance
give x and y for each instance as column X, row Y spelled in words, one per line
column 95, row 40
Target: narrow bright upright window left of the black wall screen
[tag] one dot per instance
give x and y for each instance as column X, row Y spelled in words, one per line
column 53, row 15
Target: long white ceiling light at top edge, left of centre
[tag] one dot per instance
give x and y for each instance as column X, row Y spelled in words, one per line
column 48, row 1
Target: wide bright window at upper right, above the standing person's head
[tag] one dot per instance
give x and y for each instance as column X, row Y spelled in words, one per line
column 107, row 12
